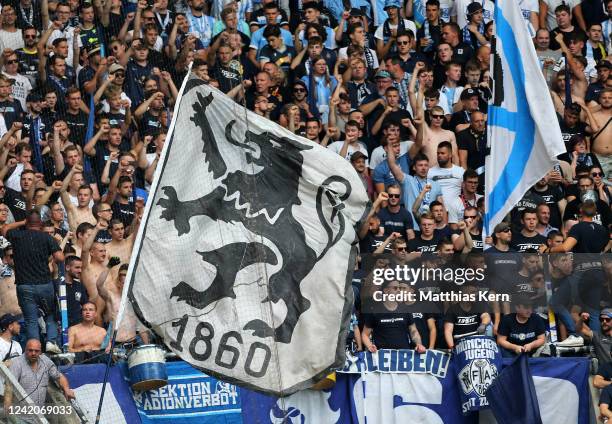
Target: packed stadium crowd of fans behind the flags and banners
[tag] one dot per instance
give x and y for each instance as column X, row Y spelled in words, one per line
column 398, row 88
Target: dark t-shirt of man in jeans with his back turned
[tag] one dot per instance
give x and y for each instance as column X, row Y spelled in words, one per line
column 31, row 251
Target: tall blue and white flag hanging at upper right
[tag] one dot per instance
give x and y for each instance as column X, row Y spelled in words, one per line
column 523, row 132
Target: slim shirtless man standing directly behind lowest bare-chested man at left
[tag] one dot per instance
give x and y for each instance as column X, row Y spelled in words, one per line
column 94, row 260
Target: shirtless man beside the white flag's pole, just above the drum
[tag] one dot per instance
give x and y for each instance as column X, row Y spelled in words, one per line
column 111, row 293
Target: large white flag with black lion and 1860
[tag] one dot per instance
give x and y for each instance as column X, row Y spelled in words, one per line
column 244, row 263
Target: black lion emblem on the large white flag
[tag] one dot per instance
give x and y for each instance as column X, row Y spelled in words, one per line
column 262, row 202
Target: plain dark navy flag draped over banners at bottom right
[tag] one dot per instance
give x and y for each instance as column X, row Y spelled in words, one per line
column 512, row 396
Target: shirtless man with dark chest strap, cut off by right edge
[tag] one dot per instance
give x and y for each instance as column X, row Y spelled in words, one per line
column 601, row 141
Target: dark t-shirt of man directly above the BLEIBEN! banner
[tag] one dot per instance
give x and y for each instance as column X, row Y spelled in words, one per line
column 390, row 330
